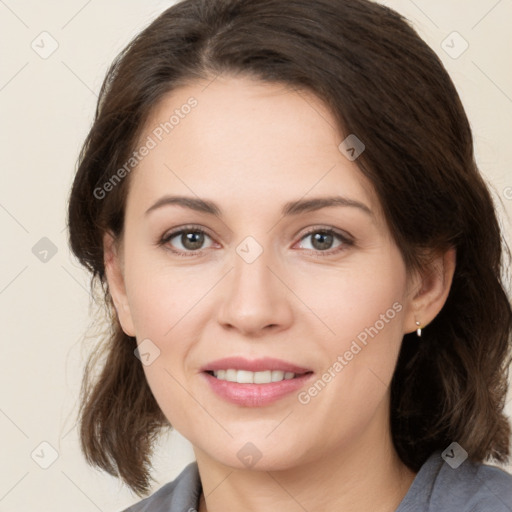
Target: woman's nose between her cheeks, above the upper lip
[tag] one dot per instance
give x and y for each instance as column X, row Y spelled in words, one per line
column 255, row 297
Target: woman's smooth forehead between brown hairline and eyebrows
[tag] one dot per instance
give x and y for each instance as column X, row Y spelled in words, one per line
column 239, row 140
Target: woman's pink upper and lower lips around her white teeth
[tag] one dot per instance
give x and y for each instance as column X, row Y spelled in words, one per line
column 255, row 395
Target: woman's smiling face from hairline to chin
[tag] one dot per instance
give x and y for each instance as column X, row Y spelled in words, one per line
column 263, row 277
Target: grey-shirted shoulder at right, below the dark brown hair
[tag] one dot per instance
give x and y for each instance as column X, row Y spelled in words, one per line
column 469, row 487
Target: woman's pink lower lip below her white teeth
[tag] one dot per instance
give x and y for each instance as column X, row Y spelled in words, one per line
column 255, row 395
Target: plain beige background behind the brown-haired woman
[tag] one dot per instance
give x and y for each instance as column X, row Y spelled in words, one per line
column 47, row 106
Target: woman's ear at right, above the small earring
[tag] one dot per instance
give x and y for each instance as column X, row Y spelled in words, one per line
column 429, row 290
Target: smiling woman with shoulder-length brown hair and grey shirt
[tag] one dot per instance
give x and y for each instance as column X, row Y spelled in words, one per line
column 282, row 203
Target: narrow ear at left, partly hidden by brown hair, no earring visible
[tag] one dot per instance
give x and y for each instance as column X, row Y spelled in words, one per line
column 114, row 271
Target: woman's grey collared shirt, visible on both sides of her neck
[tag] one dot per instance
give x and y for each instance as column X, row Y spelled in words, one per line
column 436, row 488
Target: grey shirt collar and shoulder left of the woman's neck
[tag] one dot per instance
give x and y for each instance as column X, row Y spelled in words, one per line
column 180, row 495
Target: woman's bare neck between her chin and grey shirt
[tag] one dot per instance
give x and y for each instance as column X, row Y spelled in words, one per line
column 357, row 477
